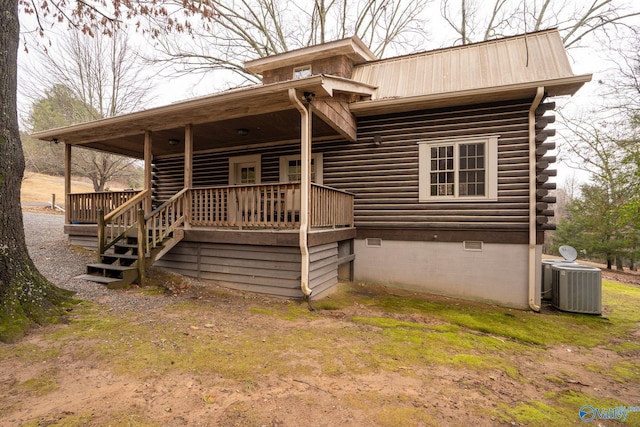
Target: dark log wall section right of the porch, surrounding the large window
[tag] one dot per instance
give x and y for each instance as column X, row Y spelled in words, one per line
column 385, row 177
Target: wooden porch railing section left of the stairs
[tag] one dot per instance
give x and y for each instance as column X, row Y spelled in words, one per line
column 82, row 208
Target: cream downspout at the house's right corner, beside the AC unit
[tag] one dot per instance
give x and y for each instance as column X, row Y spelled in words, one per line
column 533, row 265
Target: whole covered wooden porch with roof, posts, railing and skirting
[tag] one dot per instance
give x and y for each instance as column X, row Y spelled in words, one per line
column 280, row 233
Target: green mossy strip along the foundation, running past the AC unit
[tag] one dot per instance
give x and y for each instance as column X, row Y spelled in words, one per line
column 524, row 326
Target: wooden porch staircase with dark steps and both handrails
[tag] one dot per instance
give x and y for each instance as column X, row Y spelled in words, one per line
column 128, row 243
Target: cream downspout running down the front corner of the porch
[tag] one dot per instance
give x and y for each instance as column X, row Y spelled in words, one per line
column 305, row 188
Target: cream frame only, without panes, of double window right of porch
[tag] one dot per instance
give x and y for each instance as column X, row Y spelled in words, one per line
column 491, row 169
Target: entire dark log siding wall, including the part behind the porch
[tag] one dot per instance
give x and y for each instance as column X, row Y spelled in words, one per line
column 385, row 177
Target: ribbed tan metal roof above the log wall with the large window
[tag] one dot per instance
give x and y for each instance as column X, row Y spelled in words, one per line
column 512, row 61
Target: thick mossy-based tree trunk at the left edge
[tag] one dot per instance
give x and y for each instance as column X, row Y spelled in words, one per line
column 25, row 295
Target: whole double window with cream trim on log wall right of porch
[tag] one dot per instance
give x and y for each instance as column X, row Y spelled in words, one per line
column 458, row 169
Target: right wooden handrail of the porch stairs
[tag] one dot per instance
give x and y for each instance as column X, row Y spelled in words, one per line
column 165, row 219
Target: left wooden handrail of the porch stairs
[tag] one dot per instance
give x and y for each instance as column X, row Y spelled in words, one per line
column 118, row 218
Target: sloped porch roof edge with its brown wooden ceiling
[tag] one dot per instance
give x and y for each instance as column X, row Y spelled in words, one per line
column 266, row 112
